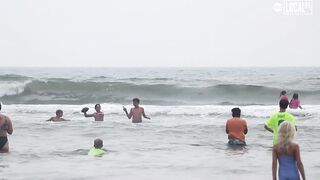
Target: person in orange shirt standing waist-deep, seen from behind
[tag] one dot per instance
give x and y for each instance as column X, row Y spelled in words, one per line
column 236, row 128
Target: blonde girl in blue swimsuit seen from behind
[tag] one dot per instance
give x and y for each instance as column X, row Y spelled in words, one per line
column 287, row 154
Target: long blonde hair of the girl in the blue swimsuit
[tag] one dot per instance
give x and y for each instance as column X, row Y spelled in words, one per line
column 286, row 133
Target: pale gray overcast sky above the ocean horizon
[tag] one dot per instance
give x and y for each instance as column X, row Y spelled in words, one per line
column 155, row 33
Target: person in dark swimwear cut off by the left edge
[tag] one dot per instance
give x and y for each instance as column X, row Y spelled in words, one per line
column 5, row 129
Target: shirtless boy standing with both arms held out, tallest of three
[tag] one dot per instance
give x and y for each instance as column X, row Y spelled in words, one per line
column 136, row 112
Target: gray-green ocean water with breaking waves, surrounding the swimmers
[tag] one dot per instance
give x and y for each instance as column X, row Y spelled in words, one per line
column 185, row 139
